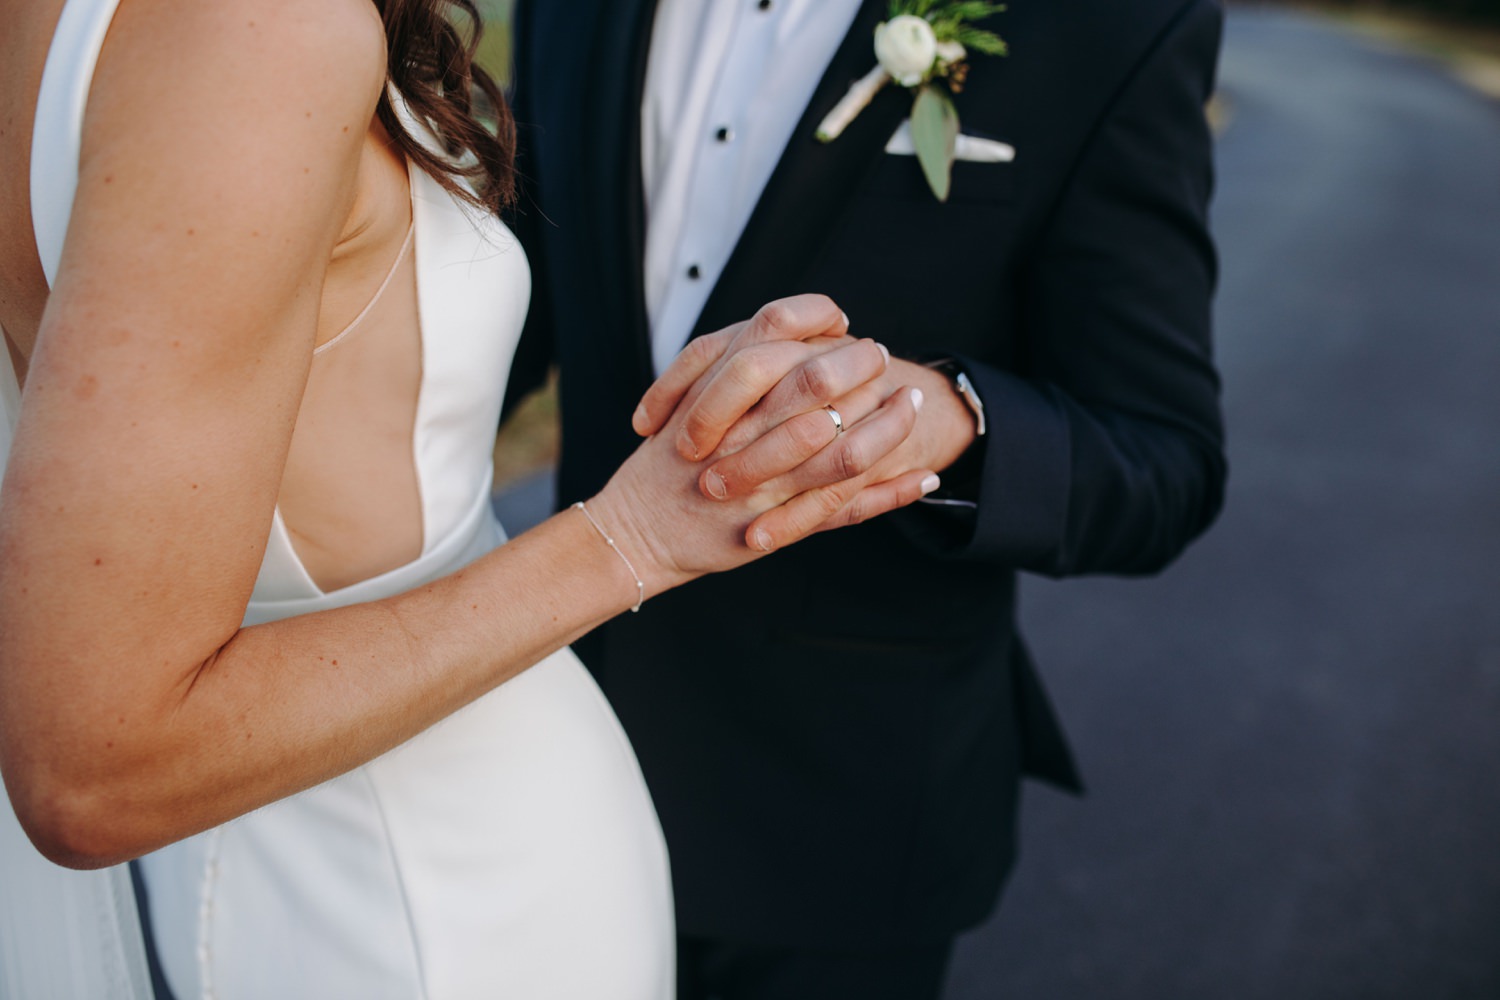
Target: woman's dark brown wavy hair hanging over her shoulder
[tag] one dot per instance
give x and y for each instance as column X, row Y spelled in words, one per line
column 431, row 62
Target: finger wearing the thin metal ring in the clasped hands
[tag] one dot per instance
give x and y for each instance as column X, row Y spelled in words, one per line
column 787, row 446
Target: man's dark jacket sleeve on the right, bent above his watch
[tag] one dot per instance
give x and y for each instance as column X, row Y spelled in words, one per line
column 1105, row 452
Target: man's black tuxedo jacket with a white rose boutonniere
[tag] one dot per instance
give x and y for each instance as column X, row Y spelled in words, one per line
column 835, row 735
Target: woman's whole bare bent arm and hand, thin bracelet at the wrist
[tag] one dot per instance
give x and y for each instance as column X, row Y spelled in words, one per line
column 155, row 427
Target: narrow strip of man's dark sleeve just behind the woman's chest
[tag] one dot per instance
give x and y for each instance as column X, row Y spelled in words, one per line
column 536, row 353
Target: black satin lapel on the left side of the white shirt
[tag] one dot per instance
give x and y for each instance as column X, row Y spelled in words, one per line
column 617, row 194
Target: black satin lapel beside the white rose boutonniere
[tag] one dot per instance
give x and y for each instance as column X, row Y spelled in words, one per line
column 811, row 188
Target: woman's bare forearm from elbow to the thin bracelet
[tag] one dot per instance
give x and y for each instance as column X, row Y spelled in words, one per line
column 292, row 704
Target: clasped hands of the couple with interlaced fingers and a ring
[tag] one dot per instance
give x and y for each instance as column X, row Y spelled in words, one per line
column 743, row 458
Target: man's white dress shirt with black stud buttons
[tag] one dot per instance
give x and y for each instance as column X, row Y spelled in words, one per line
column 727, row 85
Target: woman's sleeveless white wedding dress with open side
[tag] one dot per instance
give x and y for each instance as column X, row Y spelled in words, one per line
column 508, row 852
